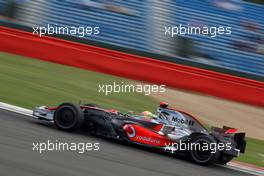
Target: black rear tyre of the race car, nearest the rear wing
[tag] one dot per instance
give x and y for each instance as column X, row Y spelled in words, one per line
column 206, row 156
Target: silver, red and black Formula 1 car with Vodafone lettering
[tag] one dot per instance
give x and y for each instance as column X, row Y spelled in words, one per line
column 169, row 130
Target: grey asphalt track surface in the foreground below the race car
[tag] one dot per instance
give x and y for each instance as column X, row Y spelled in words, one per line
column 18, row 132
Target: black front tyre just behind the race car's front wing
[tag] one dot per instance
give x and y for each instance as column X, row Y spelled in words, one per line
column 68, row 117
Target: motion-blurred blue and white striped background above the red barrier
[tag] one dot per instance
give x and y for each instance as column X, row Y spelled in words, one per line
column 138, row 26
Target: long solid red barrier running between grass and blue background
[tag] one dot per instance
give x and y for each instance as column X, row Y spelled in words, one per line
column 131, row 66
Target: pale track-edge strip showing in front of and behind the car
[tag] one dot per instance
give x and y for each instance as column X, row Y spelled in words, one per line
column 231, row 165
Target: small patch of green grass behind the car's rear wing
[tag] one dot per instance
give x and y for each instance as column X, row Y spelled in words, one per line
column 254, row 152
